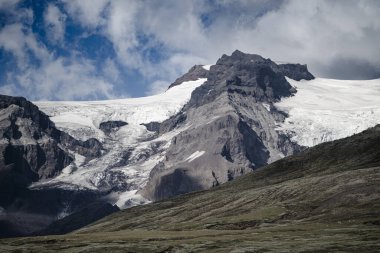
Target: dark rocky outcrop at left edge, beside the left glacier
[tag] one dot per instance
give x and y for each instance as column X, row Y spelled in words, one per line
column 31, row 147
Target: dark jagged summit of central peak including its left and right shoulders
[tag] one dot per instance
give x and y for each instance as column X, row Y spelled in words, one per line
column 249, row 74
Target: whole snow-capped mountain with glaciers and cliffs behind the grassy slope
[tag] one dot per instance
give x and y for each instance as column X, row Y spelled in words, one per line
column 213, row 124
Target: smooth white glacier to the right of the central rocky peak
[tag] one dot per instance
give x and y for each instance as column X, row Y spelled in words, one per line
column 327, row 109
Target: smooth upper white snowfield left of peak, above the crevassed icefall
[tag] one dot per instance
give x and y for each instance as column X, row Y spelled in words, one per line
column 82, row 119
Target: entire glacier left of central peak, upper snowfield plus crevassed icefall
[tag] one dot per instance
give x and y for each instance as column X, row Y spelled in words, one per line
column 130, row 152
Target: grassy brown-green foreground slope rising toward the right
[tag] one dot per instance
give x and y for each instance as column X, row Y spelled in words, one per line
column 325, row 199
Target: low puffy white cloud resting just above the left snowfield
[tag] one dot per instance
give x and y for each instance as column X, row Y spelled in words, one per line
column 60, row 79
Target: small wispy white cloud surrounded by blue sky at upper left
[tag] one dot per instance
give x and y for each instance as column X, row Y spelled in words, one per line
column 54, row 23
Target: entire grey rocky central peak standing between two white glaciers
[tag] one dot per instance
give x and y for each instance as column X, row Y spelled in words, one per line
column 228, row 126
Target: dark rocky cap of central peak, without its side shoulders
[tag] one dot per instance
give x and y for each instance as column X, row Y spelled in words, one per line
column 246, row 74
